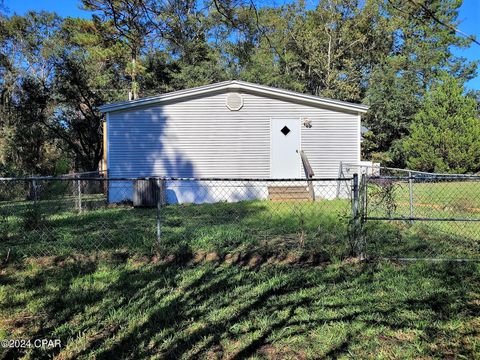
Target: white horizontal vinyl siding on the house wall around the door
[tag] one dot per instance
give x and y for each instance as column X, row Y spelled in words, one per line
column 201, row 137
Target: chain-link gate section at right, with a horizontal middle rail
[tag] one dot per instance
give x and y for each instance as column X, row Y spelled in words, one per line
column 412, row 215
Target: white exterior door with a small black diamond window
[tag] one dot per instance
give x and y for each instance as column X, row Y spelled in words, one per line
column 285, row 141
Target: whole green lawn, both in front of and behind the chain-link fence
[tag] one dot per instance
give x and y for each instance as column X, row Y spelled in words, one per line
column 253, row 279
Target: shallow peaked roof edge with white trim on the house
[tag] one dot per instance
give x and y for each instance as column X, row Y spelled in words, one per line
column 235, row 85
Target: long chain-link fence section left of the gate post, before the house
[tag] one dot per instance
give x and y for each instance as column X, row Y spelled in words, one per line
column 174, row 217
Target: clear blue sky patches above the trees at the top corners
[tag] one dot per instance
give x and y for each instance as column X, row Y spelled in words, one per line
column 469, row 17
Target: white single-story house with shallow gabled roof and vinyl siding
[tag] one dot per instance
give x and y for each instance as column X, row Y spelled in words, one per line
column 231, row 129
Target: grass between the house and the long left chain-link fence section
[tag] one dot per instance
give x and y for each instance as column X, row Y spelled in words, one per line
column 307, row 228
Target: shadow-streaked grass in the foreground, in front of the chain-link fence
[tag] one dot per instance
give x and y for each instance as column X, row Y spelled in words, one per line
column 131, row 309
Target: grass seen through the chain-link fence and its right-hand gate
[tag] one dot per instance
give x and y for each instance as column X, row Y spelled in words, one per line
column 319, row 229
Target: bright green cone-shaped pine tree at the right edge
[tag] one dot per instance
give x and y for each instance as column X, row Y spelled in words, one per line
column 445, row 134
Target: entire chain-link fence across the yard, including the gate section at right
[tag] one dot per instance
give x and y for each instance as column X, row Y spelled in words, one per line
column 389, row 213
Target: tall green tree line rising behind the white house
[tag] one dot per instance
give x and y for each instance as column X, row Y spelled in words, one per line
column 394, row 55
